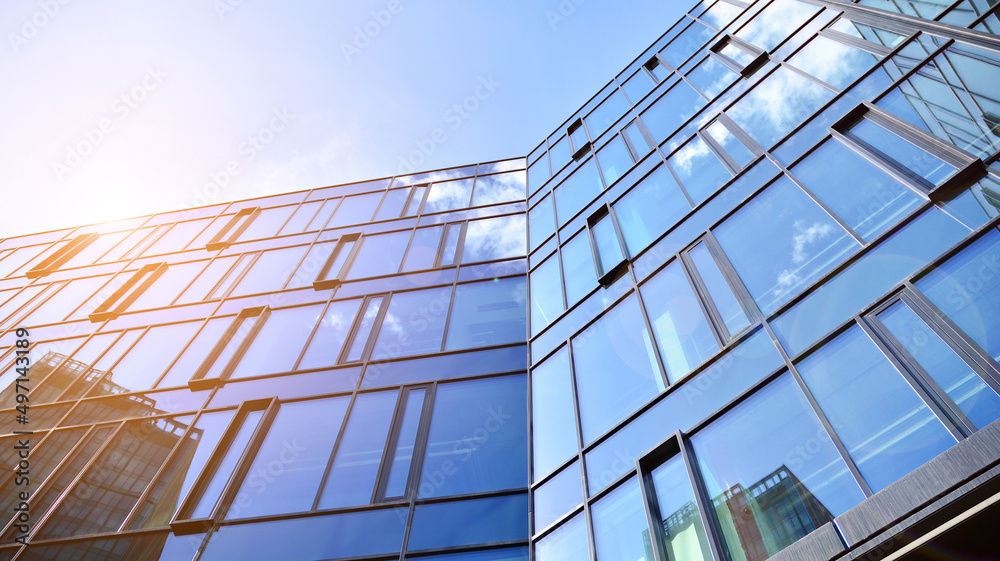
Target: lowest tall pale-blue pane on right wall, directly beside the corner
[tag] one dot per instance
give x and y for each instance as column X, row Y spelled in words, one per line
column 553, row 415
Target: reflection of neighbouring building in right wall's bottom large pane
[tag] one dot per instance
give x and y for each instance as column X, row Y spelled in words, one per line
column 769, row 515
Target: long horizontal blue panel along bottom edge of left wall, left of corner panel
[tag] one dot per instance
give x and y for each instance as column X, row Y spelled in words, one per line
column 337, row 536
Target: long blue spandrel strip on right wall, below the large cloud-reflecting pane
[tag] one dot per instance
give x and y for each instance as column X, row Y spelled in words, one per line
column 867, row 279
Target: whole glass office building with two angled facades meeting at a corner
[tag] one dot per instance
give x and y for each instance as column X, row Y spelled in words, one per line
column 743, row 304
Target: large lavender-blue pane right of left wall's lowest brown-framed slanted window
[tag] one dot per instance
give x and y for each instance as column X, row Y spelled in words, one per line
column 286, row 472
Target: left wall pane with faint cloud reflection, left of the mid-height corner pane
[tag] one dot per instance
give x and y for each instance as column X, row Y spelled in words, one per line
column 413, row 324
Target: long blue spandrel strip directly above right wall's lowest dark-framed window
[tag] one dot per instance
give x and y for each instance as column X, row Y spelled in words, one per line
column 695, row 399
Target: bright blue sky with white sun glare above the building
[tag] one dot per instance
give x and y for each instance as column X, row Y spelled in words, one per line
column 115, row 109
